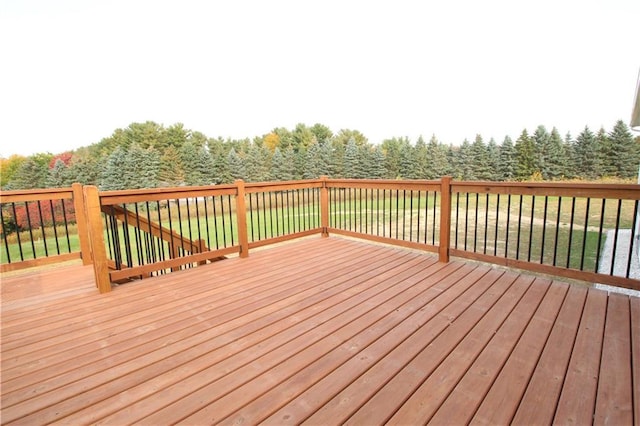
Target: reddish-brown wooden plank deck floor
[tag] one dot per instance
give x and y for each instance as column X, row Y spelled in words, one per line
column 319, row 331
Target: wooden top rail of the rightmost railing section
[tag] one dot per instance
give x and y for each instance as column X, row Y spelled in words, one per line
column 594, row 190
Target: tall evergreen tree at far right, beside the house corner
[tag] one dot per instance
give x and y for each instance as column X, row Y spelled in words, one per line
column 623, row 154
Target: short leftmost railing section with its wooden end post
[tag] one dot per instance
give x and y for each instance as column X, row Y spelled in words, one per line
column 43, row 226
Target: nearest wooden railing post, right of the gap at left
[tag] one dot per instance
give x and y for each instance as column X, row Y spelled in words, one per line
column 96, row 238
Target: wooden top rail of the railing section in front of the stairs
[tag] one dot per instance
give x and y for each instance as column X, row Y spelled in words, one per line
column 159, row 194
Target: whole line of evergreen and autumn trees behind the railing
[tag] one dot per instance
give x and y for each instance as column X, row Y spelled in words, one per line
column 149, row 155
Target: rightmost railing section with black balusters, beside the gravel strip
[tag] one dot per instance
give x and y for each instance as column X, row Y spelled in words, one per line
column 581, row 231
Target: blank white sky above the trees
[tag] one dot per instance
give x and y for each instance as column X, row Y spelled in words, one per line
column 71, row 72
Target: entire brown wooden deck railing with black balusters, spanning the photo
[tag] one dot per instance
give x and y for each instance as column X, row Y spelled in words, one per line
column 580, row 231
